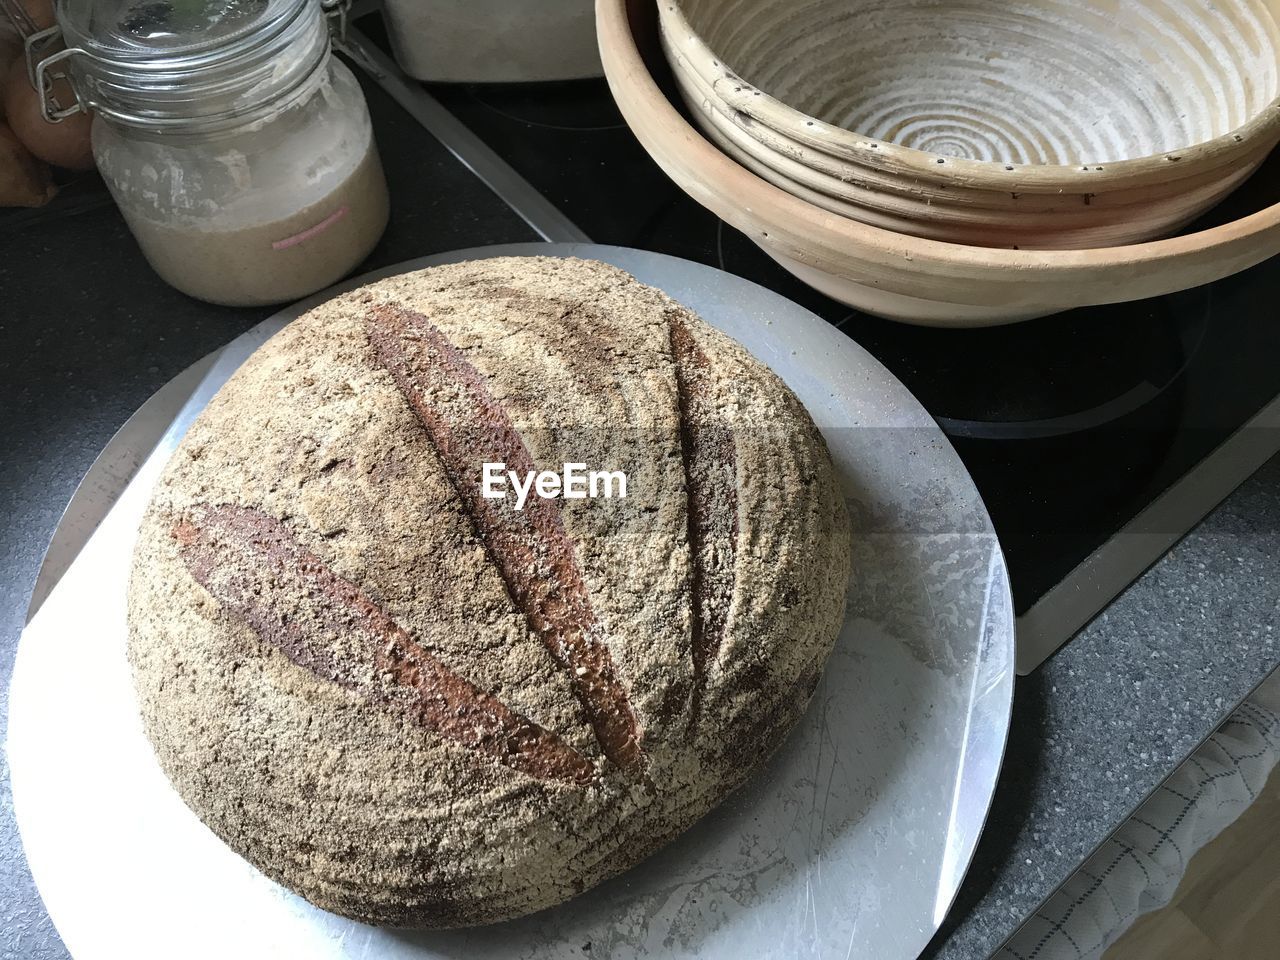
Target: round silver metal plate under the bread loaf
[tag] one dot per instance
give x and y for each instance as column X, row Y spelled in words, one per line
column 852, row 843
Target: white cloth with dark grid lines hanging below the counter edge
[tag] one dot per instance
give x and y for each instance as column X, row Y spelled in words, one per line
column 1139, row 870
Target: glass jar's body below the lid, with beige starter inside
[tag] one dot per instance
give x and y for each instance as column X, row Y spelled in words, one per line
column 263, row 216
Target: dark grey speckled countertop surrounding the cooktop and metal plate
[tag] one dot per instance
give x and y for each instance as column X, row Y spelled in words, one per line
column 88, row 335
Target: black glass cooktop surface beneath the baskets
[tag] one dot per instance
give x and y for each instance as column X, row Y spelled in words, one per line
column 1071, row 426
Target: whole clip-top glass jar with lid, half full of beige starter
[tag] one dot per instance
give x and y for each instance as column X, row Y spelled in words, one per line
column 239, row 149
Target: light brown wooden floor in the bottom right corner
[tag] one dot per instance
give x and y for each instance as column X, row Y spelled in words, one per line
column 1228, row 904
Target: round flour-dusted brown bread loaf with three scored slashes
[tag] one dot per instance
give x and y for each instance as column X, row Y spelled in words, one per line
column 418, row 702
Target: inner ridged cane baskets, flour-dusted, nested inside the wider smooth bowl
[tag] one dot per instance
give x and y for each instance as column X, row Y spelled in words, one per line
column 1035, row 124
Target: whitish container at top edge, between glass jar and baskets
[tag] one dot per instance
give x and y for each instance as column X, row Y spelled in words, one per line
column 483, row 42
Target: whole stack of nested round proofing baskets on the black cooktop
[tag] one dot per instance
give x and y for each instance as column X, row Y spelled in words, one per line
column 913, row 158
